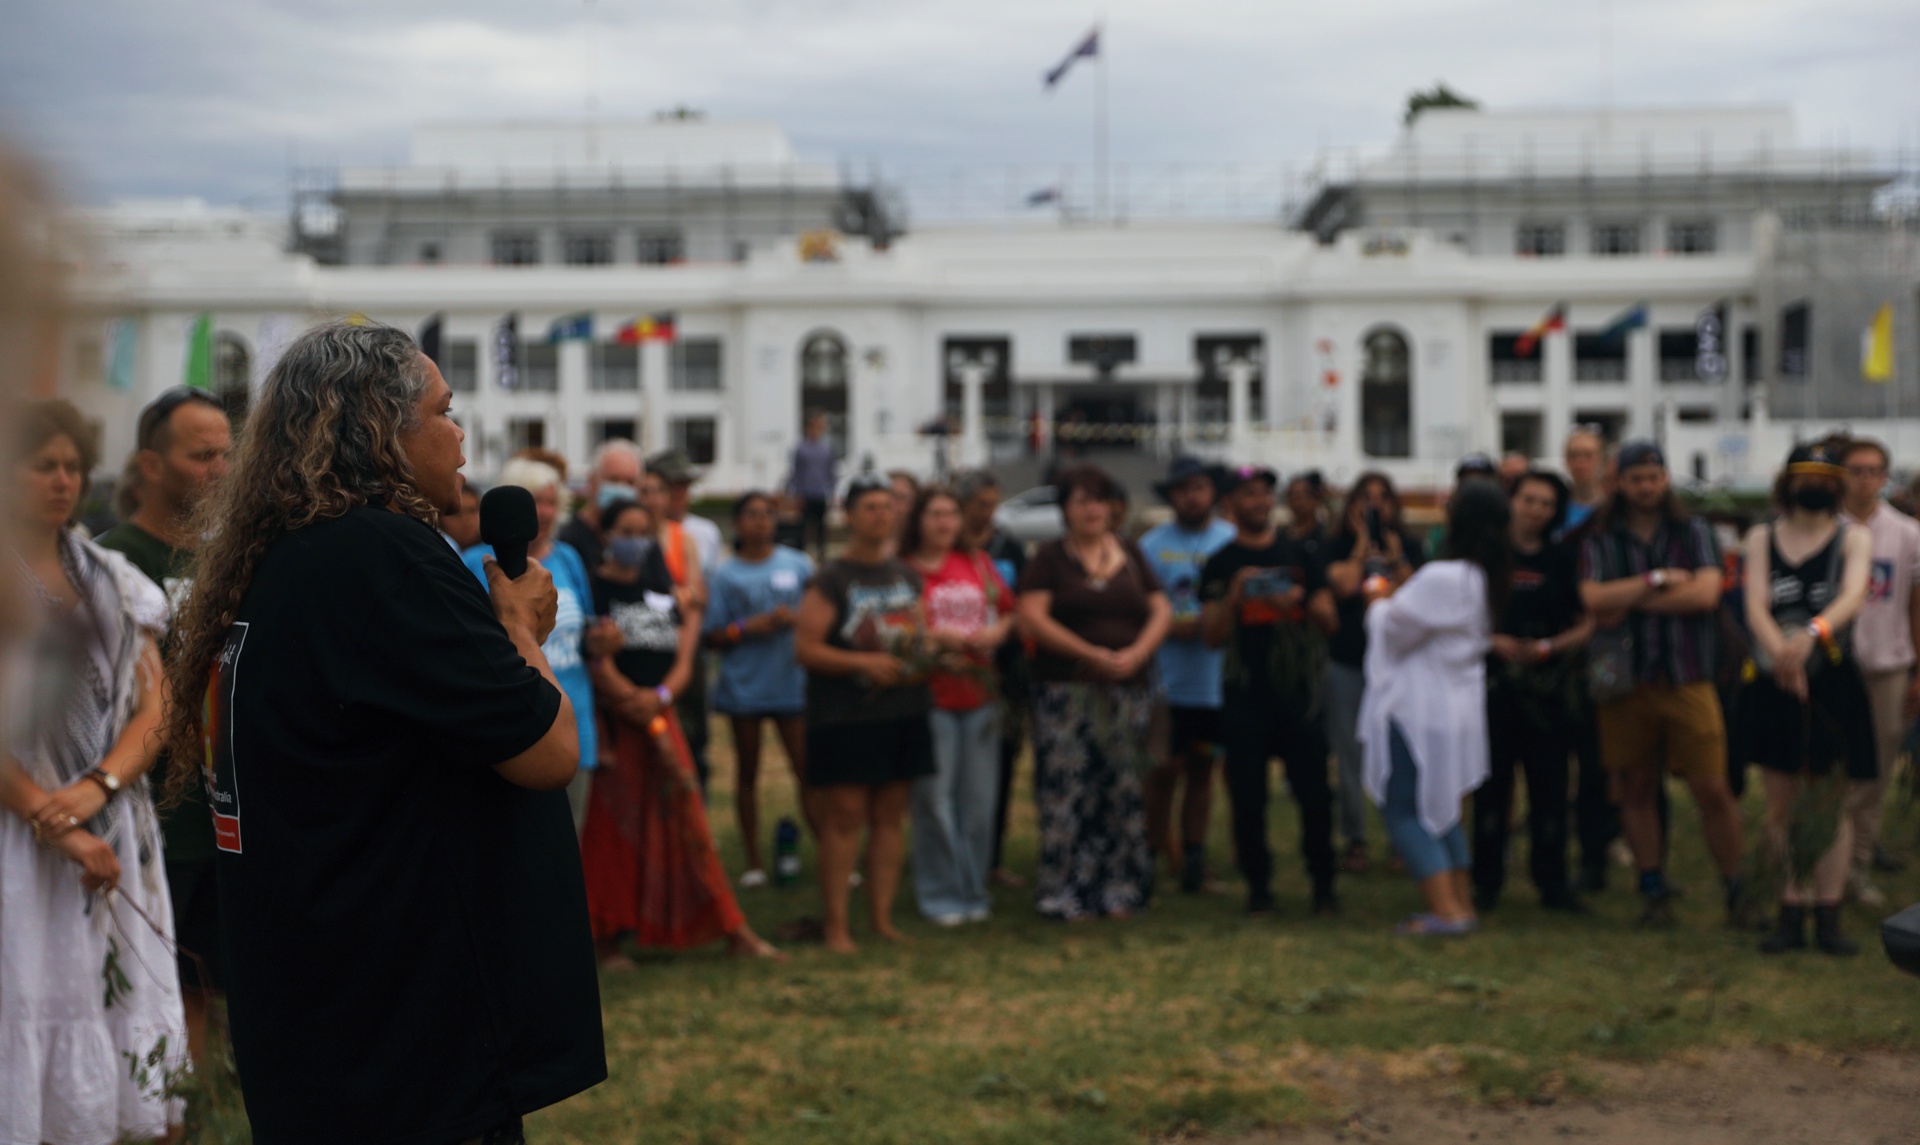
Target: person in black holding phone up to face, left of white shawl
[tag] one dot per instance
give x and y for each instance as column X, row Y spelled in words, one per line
column 1372, row 543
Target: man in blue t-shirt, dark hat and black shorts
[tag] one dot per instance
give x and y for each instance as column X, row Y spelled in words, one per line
column 1189, row 670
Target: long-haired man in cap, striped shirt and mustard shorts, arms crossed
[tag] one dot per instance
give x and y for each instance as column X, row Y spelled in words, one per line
column 1652, row 579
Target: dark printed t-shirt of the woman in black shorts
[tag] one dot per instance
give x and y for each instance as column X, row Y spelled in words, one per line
column 876, row 608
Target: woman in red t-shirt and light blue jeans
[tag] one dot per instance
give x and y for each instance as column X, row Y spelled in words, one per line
column 969, row 616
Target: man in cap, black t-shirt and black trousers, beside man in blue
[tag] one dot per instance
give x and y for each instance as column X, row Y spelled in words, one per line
column 1270, row 610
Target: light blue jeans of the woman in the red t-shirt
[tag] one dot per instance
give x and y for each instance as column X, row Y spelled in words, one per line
column 953, row 814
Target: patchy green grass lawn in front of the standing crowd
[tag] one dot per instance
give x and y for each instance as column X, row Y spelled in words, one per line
column 1191, row 1021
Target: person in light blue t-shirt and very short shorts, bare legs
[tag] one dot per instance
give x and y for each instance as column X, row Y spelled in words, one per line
column 752, row 602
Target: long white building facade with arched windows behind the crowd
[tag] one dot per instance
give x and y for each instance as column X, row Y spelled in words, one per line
column 1376, row 333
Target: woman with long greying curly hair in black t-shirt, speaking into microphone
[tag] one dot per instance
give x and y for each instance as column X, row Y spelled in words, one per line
column 387, row 754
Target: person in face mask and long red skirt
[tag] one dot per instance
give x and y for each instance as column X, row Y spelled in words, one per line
column 652, row 867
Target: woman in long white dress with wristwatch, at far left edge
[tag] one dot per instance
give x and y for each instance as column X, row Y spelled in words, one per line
column 91, row 1023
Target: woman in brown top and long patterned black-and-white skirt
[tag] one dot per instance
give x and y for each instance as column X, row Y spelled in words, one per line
column 1097, row 614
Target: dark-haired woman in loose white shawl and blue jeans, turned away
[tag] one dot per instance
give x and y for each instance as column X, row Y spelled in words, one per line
column 1424, row 718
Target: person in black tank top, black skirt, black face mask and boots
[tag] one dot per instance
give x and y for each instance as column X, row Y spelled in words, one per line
column 1804, row 710
